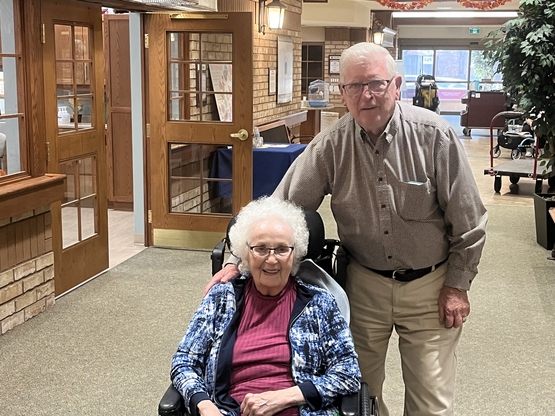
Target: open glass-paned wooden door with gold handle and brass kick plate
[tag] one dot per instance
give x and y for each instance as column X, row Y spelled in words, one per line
column 200, row 75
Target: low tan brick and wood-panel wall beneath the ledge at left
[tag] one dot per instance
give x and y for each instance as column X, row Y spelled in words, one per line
column 26, row 267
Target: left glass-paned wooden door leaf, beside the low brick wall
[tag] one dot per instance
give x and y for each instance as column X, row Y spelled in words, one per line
column 74, row 76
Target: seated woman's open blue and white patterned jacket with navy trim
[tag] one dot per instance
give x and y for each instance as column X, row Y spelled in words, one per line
column 324, row 363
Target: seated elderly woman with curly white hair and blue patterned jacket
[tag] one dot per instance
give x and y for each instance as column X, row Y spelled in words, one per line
column 266, row 343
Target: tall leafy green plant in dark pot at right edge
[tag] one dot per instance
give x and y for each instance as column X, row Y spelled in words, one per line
column 523, row 49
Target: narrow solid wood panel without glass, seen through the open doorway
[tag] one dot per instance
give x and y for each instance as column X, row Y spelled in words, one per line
column 118, row 111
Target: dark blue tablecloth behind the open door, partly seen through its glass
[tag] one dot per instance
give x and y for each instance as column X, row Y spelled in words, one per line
column 269, row 166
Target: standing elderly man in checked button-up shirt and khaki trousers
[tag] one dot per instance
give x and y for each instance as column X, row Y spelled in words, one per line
column 408, row 210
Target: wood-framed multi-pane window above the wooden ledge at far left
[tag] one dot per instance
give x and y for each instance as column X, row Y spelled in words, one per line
column 13, row 153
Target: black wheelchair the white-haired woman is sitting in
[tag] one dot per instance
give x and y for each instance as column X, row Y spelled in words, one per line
column 328, row 255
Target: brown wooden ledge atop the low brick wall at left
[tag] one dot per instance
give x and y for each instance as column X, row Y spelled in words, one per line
column 22, row 196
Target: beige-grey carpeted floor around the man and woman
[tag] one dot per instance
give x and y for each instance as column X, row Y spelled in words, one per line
column 105, row 348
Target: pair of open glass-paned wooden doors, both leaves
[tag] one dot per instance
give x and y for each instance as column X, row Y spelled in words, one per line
column 198, row 97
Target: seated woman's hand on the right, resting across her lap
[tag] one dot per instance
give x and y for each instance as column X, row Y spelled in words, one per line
column 271, row 402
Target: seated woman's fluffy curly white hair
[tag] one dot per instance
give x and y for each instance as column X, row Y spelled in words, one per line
column 262, row 209
